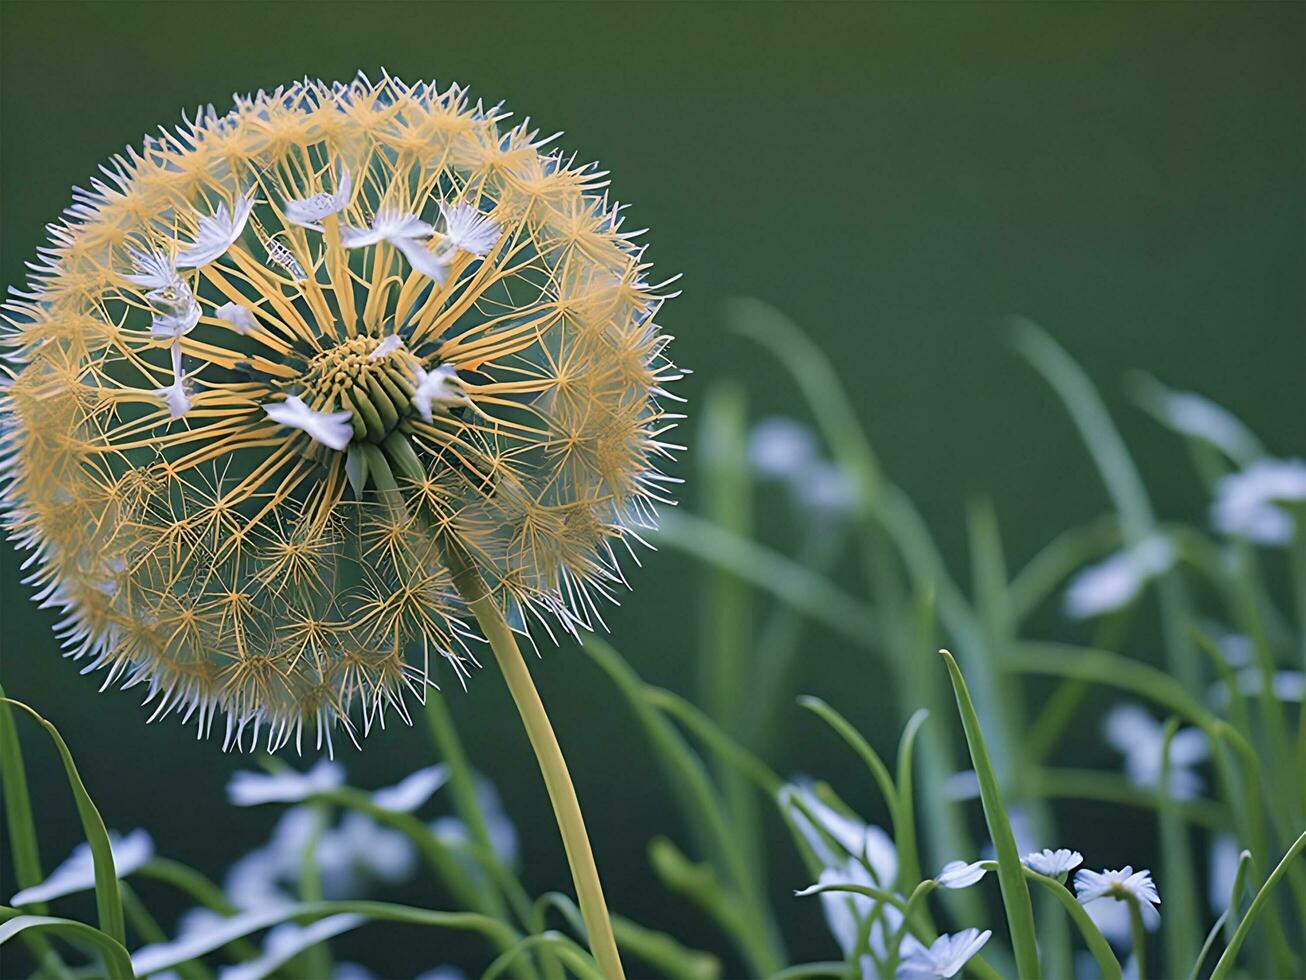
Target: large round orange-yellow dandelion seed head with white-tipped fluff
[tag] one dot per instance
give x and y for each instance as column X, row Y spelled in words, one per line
column 281, row 368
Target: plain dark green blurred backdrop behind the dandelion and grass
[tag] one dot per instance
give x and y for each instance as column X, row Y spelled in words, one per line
column 899, row 178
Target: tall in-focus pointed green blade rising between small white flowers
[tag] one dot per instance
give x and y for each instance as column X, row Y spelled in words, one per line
column 1011, row 877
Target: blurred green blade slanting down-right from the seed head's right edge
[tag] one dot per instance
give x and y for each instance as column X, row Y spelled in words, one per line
column 771, row 572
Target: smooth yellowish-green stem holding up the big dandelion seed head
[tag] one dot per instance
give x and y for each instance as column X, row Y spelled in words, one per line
column 549, row 755
